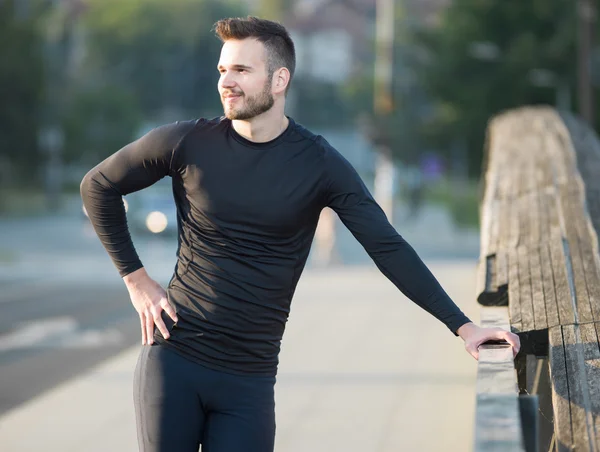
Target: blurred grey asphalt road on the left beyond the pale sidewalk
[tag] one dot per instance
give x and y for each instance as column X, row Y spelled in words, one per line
column 64, row 307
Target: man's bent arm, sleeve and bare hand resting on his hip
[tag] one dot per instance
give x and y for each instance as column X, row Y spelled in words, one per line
column 134, row 167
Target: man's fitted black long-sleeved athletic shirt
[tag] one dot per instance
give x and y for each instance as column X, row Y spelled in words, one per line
column 247, row 214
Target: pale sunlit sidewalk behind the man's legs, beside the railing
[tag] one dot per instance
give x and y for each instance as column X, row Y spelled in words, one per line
column 362, row 369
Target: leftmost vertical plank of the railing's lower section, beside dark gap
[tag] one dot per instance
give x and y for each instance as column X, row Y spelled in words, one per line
column 560, row 389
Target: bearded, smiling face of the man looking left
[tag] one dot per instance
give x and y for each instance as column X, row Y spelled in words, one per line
column 245, row 84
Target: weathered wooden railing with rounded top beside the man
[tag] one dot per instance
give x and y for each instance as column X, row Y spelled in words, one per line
column 540, row 213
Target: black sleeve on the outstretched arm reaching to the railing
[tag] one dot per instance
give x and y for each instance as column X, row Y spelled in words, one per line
column 348, row 196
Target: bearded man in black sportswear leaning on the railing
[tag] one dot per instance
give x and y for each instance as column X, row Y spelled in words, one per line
column 249, row 189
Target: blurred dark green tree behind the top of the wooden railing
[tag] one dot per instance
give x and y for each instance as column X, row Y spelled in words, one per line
column 488, row 56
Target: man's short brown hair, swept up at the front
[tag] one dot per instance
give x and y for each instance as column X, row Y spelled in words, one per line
column 274, row 36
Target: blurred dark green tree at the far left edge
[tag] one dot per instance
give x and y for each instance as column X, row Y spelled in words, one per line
column 21, row 91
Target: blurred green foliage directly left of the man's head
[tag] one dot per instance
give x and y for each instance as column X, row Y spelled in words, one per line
column 146, row 61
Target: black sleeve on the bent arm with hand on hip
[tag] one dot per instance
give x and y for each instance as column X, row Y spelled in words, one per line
column 134, row 167
